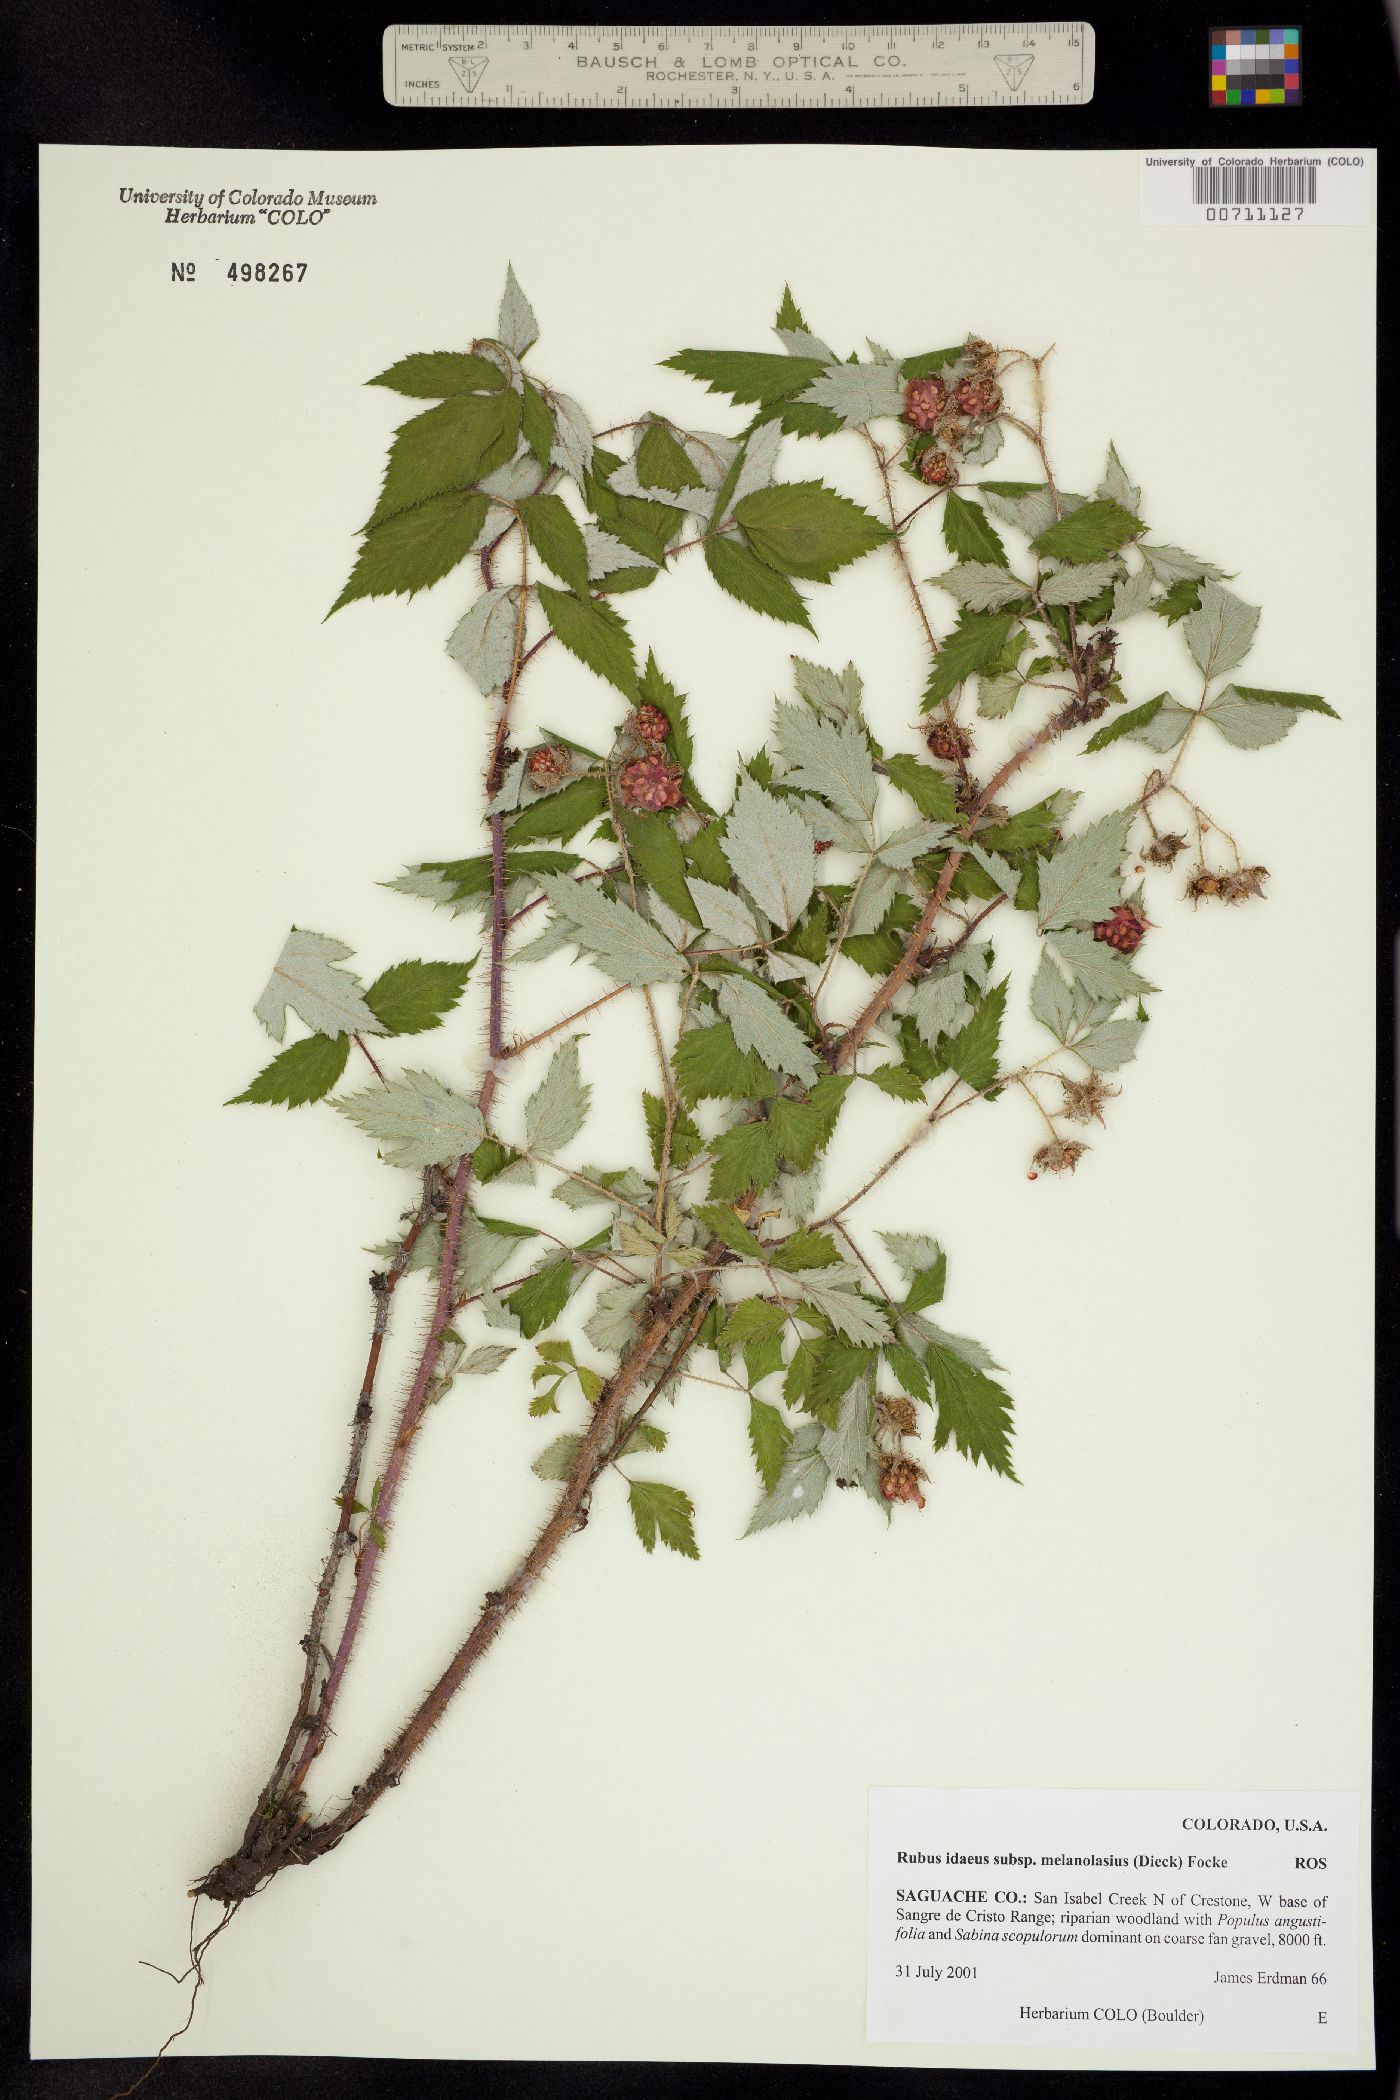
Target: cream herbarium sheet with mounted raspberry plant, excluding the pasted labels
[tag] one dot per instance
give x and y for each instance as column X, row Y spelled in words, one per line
column 895, row 770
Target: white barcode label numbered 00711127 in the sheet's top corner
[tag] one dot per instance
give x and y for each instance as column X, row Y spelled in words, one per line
column 1258, row 190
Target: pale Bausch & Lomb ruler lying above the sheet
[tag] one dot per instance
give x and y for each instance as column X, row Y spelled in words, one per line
column 637, row 66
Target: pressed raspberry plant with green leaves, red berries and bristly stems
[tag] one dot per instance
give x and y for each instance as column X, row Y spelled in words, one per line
column 826, row 933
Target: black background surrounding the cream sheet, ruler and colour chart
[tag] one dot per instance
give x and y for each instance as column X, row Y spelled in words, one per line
column 310, row 77
